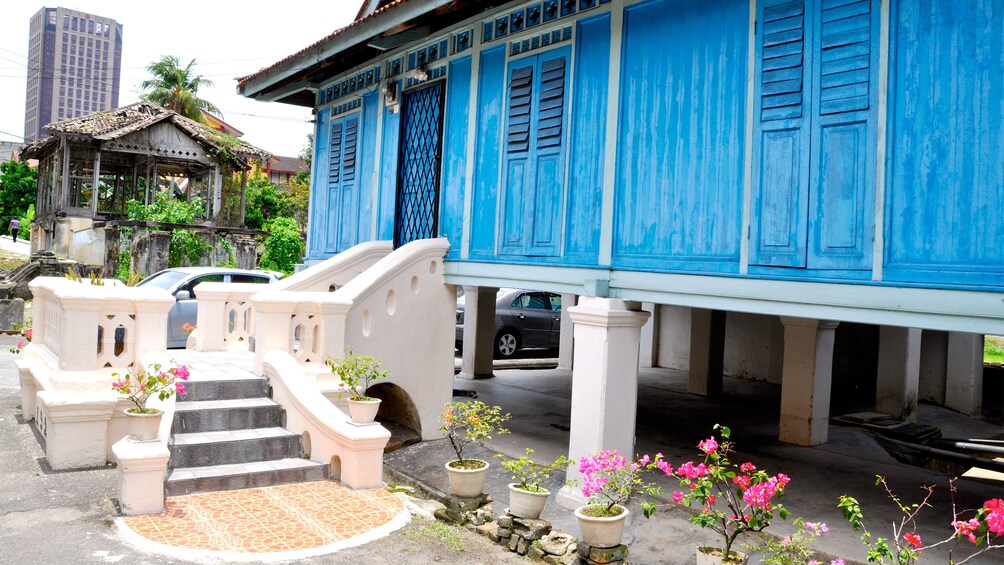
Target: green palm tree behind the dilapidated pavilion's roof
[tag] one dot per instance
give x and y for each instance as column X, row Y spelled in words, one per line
column 176, row 88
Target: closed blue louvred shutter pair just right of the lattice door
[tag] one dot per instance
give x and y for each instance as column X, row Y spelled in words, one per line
column 534, row 175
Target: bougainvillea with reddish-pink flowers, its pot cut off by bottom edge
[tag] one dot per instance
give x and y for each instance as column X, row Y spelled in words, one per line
column 734, row 499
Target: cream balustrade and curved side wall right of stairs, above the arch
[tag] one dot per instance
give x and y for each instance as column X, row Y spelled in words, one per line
column 400, row 311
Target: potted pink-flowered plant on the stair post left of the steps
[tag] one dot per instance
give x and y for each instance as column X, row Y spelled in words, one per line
column 139, row 388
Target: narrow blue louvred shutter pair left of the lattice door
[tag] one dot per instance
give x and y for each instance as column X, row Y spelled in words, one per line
column 343, row 186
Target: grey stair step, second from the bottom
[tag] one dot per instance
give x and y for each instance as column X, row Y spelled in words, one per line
column 233, row 447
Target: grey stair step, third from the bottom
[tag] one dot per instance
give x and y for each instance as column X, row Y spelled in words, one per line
column 229, row 415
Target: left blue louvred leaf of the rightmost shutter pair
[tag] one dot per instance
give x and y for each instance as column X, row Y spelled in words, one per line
column 782, row 139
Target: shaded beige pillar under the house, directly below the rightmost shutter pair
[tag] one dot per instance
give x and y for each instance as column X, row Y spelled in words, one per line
column 806, row 381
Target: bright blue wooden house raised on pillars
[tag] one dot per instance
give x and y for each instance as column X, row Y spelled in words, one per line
column 805, row 162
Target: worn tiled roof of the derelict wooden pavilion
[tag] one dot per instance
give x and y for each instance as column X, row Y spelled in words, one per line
column 112, row 125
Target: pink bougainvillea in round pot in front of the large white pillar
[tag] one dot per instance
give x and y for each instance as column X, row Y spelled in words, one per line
column 609, row 480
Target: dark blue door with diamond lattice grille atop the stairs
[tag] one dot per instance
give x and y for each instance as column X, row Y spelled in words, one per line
column 417, row 211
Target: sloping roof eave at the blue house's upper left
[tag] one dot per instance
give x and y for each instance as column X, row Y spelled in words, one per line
column 258, row 87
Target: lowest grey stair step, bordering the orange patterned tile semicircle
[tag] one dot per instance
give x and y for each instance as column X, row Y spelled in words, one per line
column 185, row 481
